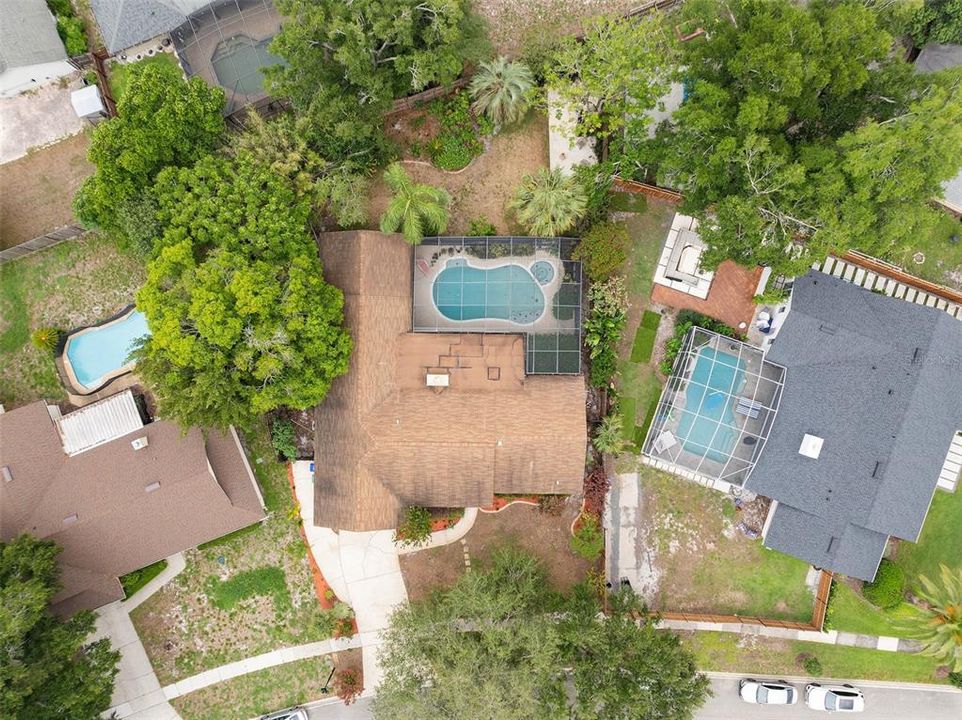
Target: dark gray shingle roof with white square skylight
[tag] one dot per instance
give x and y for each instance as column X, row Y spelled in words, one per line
column 880, row 380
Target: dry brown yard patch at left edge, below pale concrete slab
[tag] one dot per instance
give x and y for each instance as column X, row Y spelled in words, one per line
column 36, row 190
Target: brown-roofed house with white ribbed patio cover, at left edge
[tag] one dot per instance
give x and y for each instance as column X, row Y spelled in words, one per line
column 115, row 493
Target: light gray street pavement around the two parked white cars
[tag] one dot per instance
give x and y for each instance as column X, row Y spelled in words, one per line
column 881, row 703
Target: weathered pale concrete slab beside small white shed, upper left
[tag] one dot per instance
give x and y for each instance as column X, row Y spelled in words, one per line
column 34, row 119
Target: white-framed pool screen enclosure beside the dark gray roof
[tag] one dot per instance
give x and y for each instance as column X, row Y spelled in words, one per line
column 716, row 411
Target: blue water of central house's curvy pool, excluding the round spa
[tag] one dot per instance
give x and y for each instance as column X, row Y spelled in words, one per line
column 508, row 292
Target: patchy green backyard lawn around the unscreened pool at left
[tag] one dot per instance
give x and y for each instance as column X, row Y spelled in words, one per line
column 69, row 285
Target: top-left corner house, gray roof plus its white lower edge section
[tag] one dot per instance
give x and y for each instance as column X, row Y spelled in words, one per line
column 31, row 52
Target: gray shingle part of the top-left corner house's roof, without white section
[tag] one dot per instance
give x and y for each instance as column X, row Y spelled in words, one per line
column 28, row 35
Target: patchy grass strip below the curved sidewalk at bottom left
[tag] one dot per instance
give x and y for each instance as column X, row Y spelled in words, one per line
column 257, row 693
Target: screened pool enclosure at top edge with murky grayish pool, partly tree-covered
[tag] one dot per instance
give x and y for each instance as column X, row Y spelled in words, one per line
column 224, row 42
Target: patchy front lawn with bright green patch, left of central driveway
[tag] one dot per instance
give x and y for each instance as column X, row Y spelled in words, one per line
column 247, row 594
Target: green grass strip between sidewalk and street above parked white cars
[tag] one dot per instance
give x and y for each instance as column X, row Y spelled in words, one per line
column 729, row 652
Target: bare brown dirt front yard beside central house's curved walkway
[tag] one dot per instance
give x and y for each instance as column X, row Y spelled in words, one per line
column 521, row 525
